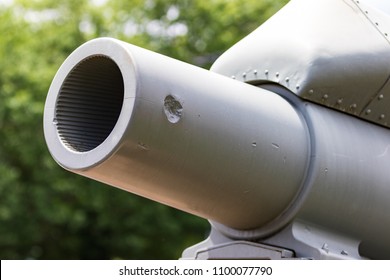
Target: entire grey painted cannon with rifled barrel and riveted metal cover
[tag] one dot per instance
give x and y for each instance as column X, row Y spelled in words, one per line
column 284, row 145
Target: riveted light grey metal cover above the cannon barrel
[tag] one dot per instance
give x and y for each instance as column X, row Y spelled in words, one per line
column 332, row 52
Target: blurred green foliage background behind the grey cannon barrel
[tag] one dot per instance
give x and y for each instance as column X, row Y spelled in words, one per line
column 48, row 213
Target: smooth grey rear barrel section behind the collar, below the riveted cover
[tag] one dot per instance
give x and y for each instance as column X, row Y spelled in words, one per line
column 351, row 177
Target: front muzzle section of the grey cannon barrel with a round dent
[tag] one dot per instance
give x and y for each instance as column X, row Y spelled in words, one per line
column 186, row 137
